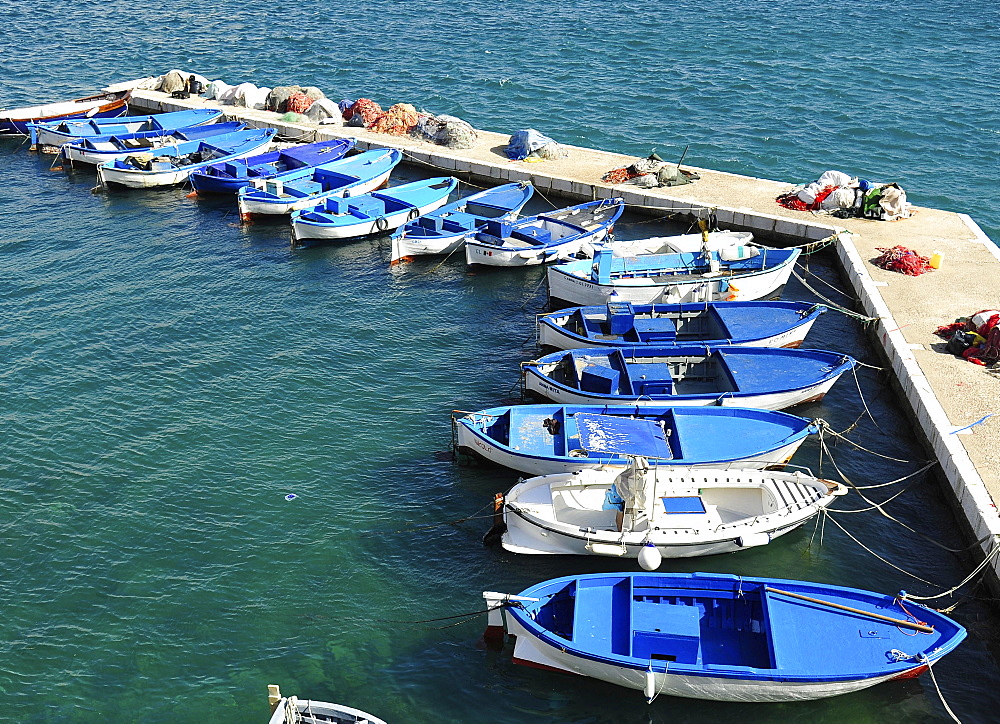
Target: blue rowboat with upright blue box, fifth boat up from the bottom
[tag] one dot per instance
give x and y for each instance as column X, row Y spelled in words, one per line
column 623, row 324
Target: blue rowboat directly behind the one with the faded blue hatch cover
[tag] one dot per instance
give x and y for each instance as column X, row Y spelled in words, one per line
column 770, row 378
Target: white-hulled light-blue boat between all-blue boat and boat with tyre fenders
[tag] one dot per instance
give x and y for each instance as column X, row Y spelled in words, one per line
column 309, row 187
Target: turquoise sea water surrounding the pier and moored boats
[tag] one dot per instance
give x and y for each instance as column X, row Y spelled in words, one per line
column 170, row 377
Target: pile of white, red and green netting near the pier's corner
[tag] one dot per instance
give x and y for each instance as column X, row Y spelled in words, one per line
column 844, row 196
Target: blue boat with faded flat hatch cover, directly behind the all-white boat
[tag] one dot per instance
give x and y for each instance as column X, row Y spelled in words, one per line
column 545, row 439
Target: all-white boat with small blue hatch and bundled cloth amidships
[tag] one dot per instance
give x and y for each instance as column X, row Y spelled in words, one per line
column 676, row 512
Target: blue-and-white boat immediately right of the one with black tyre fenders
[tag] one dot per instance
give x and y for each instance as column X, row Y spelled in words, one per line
column 444, row 230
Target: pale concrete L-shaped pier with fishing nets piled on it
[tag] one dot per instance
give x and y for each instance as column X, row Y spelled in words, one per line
column 944, row 394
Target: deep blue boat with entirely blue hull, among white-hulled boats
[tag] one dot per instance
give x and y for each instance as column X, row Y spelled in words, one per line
column 230, row 177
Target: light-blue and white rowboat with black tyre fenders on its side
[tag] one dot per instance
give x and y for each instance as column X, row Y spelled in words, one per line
column 376, row 212
